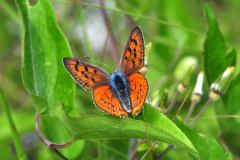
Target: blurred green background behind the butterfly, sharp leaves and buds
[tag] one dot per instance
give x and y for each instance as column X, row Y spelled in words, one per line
column 177, row 30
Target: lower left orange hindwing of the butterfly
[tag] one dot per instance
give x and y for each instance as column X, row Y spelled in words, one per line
column 107, row 102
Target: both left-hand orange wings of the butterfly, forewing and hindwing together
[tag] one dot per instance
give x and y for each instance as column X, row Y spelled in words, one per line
column 91, row 77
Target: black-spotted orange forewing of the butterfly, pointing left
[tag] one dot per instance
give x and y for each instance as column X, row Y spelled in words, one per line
column 86, row 75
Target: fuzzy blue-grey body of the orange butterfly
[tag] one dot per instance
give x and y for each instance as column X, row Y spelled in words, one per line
column 120, row 88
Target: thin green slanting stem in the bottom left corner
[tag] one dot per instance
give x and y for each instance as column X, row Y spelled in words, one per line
column 15, row 135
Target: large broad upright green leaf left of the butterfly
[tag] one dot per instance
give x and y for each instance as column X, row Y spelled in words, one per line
column 44, row 46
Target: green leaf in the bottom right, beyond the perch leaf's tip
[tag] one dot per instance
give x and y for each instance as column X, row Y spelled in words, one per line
column 208, row 148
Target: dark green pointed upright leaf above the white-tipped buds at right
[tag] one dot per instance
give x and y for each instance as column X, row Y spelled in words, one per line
column 215, row 58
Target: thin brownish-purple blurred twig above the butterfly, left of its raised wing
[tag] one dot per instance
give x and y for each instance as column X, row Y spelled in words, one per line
column 113, row 43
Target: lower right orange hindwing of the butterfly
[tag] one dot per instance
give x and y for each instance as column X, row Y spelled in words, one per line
column 138, row 91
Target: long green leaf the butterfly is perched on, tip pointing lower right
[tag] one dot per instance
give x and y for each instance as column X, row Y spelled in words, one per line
column 156, row 126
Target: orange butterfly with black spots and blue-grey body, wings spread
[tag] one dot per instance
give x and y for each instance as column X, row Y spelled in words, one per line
column 125, row 90
